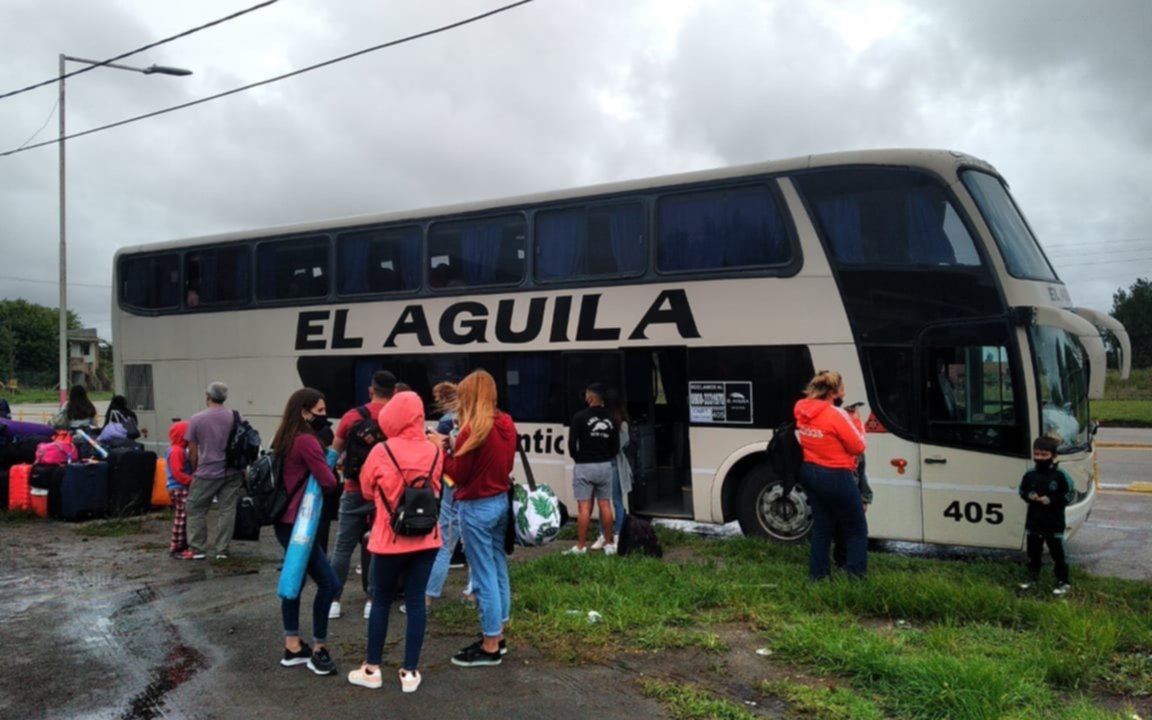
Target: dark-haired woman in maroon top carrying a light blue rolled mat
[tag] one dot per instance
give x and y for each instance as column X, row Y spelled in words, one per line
column 297, row 443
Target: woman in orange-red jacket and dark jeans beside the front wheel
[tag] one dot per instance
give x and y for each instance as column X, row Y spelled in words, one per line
column 832, row 439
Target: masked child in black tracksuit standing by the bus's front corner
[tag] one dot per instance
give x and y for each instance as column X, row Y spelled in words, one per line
column 1048, row 490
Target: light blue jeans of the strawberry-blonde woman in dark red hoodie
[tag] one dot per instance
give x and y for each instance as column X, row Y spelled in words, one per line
column 484, row 524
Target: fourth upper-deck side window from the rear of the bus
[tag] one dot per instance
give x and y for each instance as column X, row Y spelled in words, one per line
column 380, row 261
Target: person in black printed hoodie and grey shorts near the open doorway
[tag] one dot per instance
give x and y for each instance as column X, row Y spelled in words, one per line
column 594, row 443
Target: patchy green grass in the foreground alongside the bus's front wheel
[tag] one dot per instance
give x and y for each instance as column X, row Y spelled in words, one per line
column 920, row 639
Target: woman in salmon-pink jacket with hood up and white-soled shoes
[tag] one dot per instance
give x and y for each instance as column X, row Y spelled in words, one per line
column 406, row 456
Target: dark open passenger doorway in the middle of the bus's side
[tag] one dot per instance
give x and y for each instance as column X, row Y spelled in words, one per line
column 656, row 388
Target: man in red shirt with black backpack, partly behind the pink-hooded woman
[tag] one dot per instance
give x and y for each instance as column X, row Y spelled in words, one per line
column 355, row 439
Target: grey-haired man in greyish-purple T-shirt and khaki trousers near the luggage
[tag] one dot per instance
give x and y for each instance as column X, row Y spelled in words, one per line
column 208, row 444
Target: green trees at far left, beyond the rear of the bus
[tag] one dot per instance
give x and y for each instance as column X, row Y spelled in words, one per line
column 31, row 342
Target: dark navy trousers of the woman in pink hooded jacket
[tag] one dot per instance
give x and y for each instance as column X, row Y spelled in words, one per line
column 388, row 571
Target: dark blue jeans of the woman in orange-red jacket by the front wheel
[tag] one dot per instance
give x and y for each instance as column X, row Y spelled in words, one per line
column 837, row 506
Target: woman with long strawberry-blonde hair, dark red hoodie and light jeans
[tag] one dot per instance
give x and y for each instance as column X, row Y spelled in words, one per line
column 481, row 464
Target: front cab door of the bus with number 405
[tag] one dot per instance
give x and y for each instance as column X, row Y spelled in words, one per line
column 974, row 435
